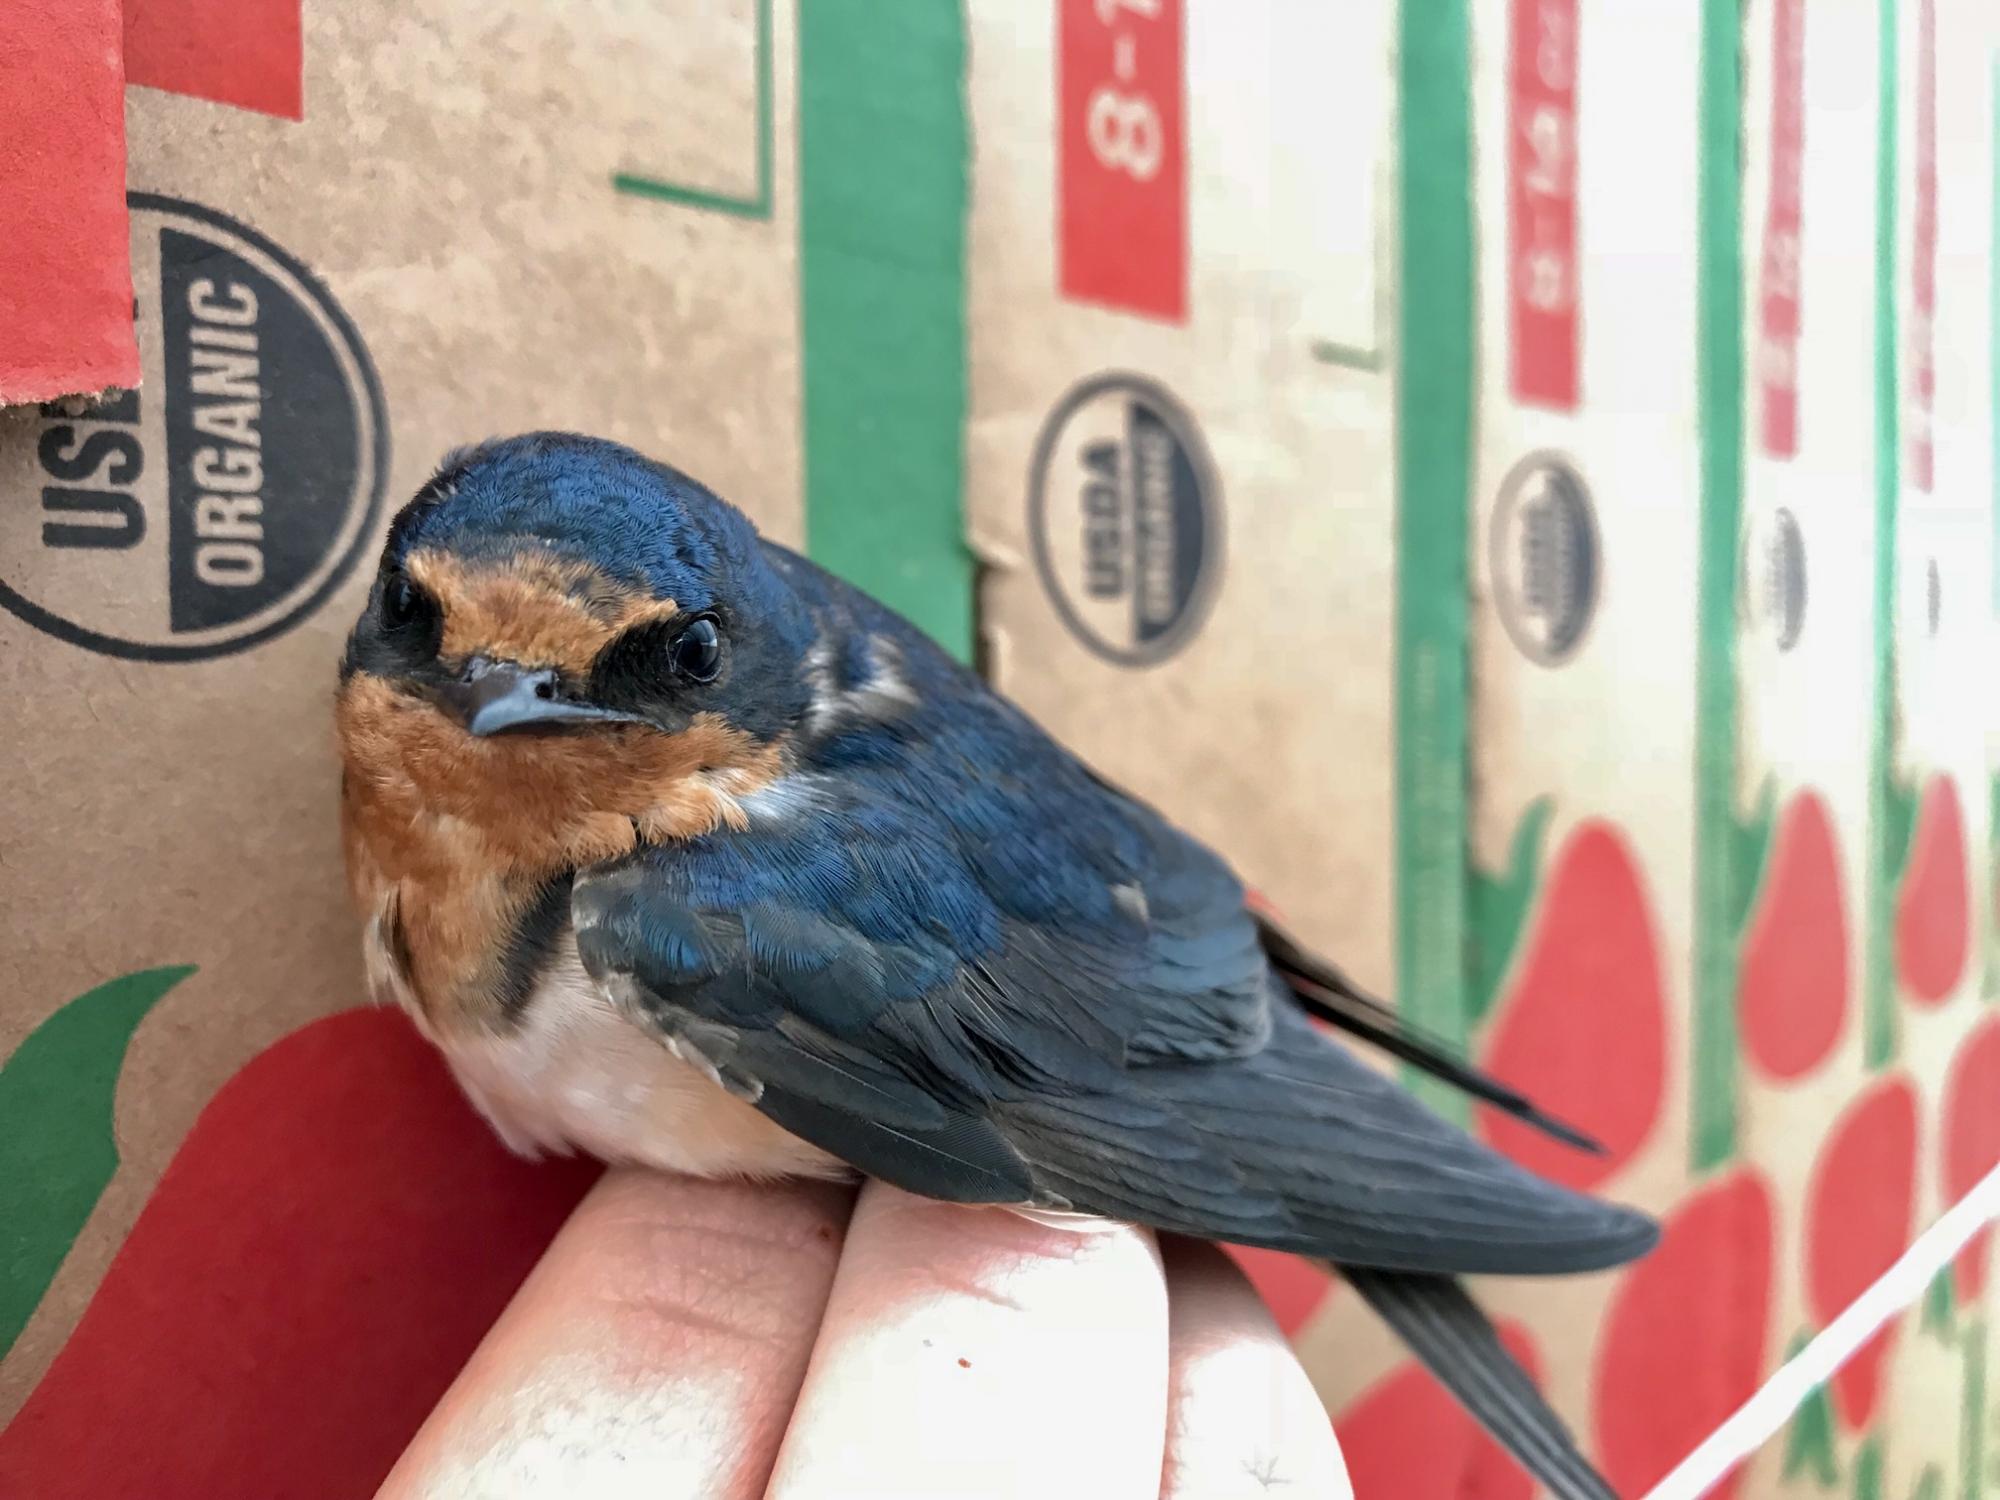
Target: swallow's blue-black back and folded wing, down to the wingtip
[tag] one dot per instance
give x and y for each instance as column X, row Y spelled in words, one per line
column 963, row 963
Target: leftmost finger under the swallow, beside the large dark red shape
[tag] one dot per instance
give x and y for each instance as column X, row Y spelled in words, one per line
column 657, row 1349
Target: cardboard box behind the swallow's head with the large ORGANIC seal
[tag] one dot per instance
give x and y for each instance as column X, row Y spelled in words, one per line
column 727, row 235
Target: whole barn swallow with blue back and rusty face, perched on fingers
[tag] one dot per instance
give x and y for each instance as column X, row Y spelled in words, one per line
column 687, row 853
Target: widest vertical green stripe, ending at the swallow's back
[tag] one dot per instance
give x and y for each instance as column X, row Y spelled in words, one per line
column 883, row 287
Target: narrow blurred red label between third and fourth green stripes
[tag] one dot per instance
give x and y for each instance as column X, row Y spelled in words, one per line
column 1779, row 317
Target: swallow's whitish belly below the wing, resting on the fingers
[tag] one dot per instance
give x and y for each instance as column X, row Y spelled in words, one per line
column 577, row 1075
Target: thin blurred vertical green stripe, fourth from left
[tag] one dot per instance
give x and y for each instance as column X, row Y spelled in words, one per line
column 1879, row 995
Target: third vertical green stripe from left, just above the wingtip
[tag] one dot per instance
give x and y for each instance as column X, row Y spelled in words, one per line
column 1721, row 379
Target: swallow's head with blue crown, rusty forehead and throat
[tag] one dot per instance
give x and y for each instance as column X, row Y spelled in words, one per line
column 569, row 629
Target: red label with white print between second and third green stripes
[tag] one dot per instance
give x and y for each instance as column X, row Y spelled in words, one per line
column 1543, row 203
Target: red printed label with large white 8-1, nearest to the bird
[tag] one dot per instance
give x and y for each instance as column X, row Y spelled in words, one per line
column 1123, row 161
